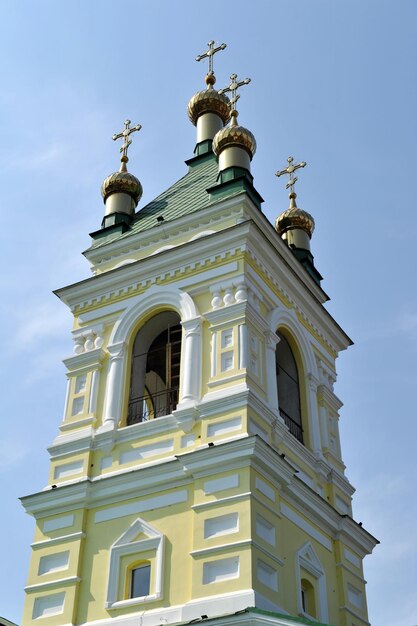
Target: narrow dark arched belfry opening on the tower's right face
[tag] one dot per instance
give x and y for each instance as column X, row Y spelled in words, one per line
column 288, row 388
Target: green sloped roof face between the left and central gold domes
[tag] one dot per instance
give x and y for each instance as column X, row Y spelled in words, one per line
column 185, row 196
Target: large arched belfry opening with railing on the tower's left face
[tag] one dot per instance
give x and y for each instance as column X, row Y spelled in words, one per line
column 155, row 372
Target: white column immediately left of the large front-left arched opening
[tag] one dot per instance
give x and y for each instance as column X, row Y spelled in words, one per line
column 114, row 386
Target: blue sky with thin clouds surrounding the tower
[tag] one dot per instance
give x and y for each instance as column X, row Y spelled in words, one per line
column 333, row 83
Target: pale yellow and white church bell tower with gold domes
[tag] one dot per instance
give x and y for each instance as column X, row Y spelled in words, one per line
column 197, row 473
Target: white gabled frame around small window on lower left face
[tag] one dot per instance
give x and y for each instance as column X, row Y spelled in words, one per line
column 126, row 545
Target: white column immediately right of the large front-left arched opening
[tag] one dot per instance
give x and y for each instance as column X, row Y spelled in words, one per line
column 191, row 361
